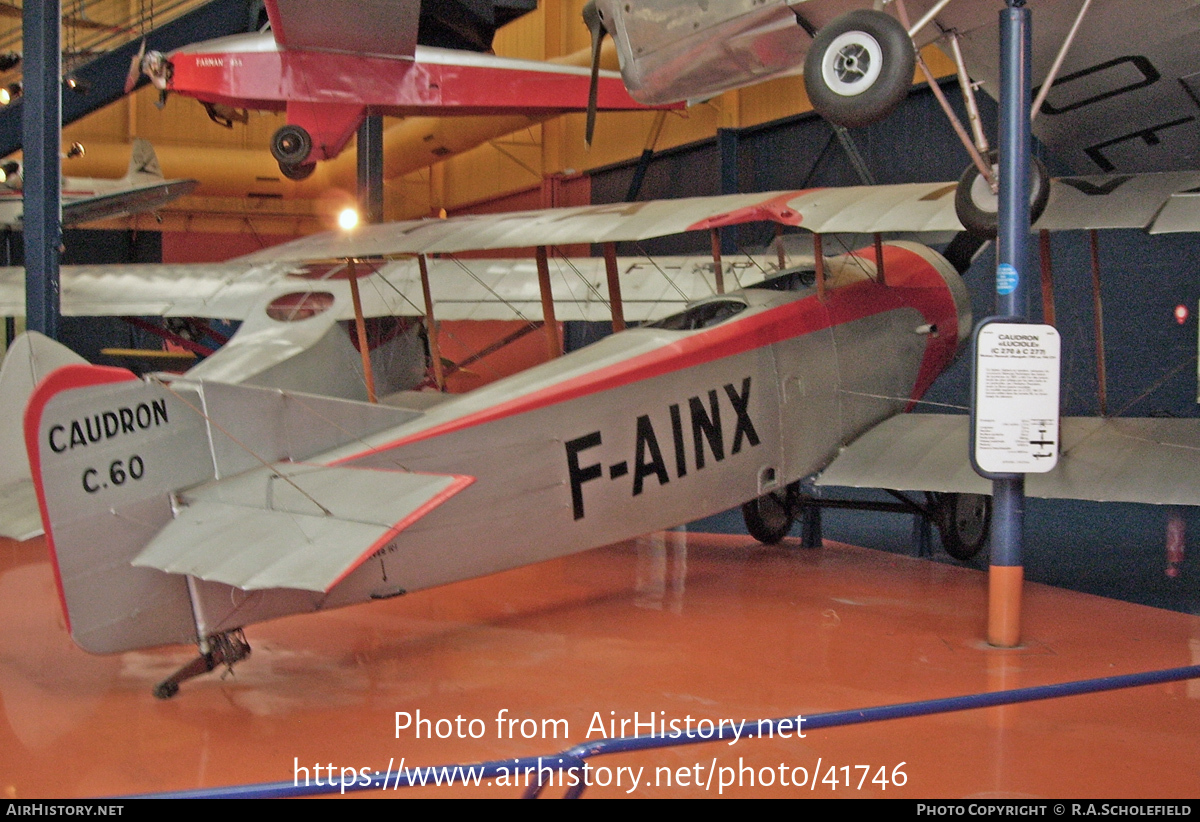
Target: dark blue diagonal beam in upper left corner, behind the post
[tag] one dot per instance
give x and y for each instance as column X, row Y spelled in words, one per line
column 103, row 81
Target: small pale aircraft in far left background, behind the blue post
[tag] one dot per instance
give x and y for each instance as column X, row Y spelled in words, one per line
column 142, row 189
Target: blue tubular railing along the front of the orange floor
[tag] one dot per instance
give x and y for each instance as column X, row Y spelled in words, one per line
column 575, row 760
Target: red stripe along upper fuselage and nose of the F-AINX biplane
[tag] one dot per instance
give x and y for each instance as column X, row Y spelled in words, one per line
column 913, row 283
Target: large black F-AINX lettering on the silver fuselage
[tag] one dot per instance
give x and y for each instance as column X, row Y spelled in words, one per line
column 707, row 434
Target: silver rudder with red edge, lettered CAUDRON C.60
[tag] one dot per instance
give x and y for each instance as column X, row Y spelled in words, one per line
column 107, row 451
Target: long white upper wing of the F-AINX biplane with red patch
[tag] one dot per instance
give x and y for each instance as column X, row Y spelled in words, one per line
column 1088, row 202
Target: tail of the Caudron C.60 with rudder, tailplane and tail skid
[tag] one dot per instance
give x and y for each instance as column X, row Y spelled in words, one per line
column 181, row 513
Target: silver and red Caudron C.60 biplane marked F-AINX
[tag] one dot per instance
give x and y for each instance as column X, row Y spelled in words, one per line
column 184, row 509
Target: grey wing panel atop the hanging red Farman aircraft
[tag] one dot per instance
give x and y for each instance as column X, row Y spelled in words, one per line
column 363, row 27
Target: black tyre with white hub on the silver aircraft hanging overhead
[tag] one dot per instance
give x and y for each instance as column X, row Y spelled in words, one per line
column 860, row 69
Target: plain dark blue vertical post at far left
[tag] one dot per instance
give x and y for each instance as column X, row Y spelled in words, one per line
column 41, row 128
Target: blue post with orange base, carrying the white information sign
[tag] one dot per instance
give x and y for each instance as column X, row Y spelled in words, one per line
column 1006, row 575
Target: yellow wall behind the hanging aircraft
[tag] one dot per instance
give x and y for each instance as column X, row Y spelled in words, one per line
column 242, row 189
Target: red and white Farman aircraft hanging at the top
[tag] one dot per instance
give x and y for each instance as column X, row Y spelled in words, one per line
column 332, row 63
